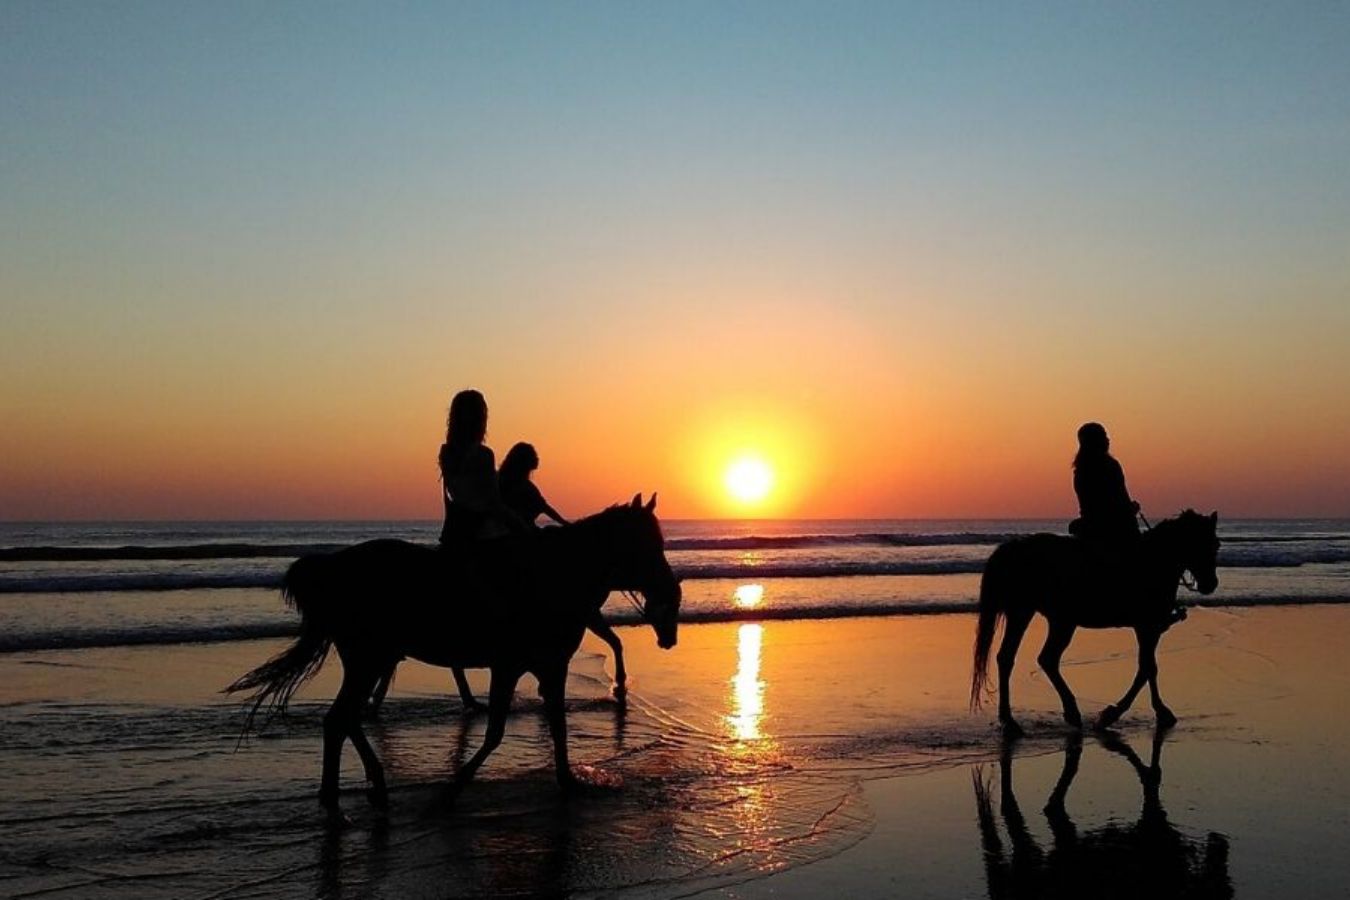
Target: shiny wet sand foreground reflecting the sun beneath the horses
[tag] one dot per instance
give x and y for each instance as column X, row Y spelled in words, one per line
column 785, row 759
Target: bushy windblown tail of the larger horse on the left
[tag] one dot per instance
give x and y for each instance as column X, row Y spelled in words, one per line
column 273, row 683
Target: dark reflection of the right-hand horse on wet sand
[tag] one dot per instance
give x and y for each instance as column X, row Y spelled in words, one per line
column 1148, row 859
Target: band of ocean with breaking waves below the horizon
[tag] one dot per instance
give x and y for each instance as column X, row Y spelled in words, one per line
column 130, row 584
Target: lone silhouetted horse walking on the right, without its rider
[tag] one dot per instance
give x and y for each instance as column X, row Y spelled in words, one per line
column 1077, row 584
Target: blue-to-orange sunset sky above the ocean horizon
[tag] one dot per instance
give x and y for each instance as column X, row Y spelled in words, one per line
column 898, row 253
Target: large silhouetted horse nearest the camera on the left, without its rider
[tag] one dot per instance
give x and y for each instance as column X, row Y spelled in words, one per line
column 519, row 607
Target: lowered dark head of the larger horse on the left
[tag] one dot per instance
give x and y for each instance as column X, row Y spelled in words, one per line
column 641, row 567
